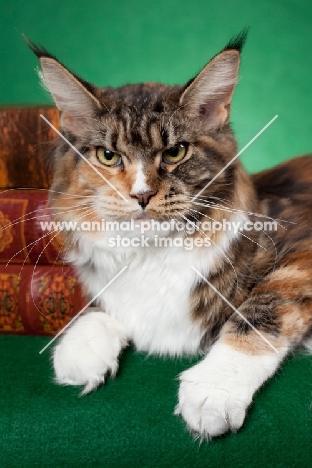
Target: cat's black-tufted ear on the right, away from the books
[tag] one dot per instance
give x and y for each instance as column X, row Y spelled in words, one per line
column 210, row 93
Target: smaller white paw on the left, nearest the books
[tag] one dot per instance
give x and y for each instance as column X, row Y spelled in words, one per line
column 89, row 350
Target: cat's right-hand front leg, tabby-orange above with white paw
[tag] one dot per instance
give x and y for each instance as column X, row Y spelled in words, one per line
column 215, row 394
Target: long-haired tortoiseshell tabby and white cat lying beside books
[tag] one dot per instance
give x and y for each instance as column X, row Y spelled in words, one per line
column 241, row 299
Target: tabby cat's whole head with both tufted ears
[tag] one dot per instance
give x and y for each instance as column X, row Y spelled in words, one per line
column 146, row 150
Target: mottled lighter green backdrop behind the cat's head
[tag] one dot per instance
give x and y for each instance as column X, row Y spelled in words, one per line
column 113, row 42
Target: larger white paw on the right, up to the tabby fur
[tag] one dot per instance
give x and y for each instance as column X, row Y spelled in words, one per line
column 215, row 394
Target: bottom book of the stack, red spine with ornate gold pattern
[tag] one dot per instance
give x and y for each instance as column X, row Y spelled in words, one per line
column 38, row 300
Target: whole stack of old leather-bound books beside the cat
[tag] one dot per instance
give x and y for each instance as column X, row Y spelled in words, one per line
column 38, row 294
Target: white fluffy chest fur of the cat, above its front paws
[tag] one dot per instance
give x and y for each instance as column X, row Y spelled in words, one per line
column 151, row 298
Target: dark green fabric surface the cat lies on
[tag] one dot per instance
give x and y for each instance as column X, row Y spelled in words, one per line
column 129, row 422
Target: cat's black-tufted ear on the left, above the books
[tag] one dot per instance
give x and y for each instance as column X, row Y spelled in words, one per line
column 73, row 97
